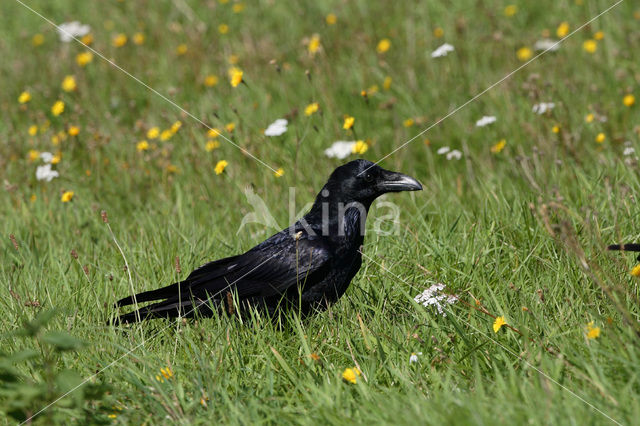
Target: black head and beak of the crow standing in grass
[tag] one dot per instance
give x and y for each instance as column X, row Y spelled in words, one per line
column 363, row 181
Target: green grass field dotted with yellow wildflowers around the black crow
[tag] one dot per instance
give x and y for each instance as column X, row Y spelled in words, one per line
column 517, row 231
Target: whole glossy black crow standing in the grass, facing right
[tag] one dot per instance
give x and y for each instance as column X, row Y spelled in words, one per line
column 306, row 266
